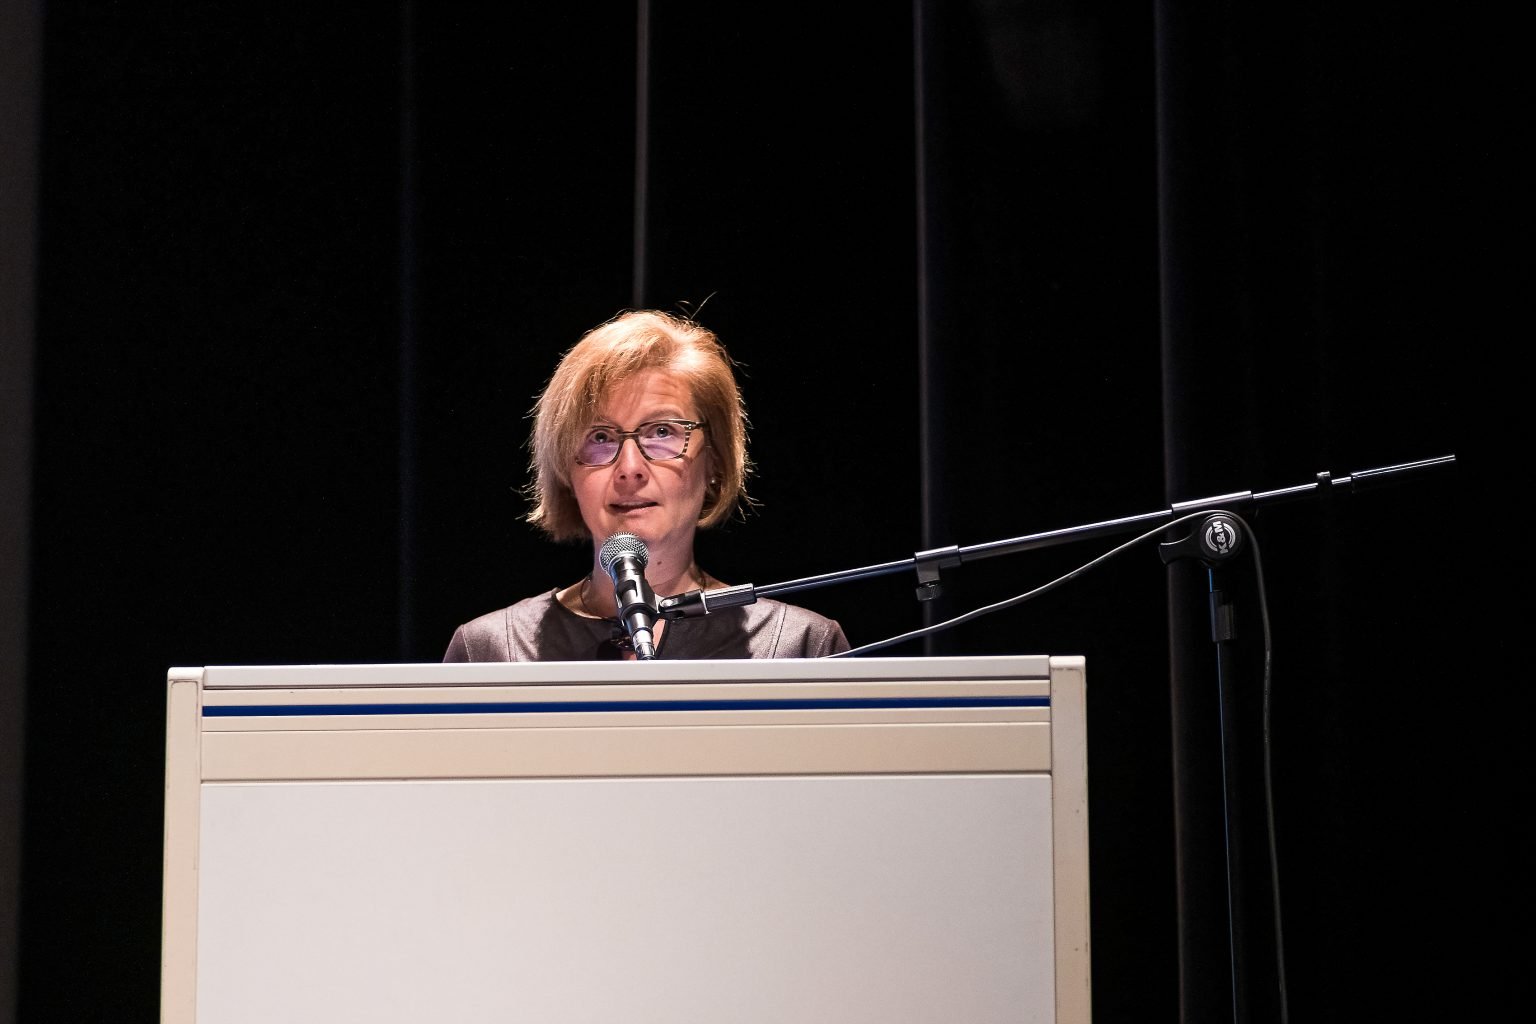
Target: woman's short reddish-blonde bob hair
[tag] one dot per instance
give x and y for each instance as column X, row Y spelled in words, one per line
column 604, row 360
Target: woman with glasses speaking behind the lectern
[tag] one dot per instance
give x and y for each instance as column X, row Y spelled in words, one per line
column 640, row 432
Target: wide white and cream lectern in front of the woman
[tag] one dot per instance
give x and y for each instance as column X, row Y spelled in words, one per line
column 841, row 841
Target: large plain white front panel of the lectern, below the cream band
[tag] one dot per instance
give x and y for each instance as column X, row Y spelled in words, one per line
column 827, row 900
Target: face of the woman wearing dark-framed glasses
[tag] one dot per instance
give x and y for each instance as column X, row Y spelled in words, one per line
column 660, row 501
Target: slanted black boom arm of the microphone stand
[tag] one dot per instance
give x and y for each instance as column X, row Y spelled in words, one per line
column 930, row 564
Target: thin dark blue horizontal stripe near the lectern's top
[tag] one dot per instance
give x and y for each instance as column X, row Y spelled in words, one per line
column 552, row 707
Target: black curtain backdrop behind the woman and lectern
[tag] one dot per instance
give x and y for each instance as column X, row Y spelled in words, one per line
column 991, row 269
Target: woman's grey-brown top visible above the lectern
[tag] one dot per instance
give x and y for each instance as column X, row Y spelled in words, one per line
column 545, row 630
